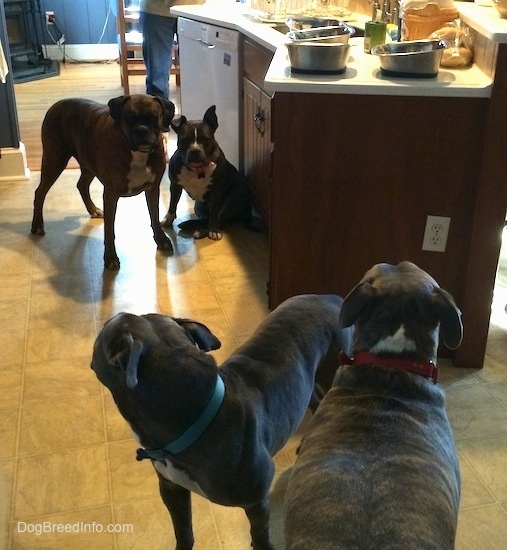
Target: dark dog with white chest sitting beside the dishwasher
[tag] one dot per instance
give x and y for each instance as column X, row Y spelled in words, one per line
column 199, row 166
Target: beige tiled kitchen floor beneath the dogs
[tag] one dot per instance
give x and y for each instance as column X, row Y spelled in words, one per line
column 68, row 457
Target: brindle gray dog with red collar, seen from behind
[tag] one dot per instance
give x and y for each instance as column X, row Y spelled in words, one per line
column 378, row 467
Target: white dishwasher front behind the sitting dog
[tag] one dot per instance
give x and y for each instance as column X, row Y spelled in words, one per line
column 209, row 63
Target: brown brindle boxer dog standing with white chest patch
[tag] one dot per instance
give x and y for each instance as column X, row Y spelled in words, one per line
column 121, row 144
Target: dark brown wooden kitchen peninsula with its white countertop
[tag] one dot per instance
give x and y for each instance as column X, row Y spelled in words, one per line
column 360, row 161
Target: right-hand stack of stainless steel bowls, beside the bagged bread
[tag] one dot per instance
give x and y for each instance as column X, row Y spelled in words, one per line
column 412, row 58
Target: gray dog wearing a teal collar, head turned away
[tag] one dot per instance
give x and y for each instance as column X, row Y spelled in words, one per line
column 214, row 430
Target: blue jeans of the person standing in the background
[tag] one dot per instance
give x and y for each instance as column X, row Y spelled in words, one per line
column 158, row 39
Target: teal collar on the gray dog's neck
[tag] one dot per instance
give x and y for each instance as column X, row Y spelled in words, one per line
column 194, row 432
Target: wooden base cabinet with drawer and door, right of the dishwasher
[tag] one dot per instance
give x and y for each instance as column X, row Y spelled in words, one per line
column 257, row 147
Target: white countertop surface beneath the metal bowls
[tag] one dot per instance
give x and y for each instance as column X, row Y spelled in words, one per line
column 362, row 75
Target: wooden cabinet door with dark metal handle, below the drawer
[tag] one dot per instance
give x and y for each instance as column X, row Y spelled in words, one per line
column 257, row 146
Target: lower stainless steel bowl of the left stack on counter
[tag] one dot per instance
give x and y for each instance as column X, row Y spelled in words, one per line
column 318, row 57
